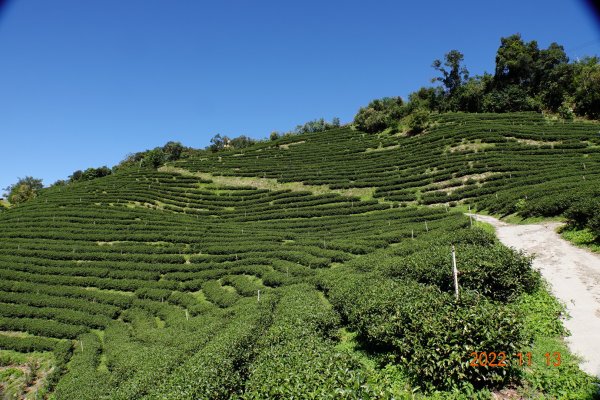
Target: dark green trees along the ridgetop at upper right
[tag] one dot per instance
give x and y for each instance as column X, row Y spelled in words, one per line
column 526, row 78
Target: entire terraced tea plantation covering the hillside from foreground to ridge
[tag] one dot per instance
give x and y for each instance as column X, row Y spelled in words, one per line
column 157, row 284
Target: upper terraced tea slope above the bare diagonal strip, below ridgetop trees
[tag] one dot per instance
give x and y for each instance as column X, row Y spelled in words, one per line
column 509, row 163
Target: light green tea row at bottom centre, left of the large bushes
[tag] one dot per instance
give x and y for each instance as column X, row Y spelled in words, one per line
column 297, row 359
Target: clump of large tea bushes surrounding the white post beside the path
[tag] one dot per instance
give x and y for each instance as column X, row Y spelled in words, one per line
column 401, row 299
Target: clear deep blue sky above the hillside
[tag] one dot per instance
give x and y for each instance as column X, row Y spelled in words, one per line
column 83, row 83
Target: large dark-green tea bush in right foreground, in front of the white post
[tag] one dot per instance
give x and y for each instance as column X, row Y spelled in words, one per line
column 430, row 334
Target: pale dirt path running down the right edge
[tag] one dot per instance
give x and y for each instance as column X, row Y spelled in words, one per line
column 574, row 276
